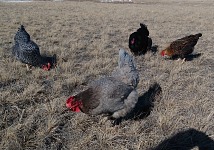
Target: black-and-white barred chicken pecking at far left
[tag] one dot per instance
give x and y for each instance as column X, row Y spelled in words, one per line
column 26, row 51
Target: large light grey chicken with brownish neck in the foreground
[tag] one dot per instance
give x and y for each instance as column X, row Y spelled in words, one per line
column 108, row 95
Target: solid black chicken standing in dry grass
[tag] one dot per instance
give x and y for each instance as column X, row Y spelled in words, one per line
column 139, row 41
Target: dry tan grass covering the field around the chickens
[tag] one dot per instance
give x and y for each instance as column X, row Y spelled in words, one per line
column 86, row 37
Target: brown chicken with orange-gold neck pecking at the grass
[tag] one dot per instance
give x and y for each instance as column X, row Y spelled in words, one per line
column 182, row 47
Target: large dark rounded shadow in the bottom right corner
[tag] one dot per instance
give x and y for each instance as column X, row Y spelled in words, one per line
column 187, row 140
